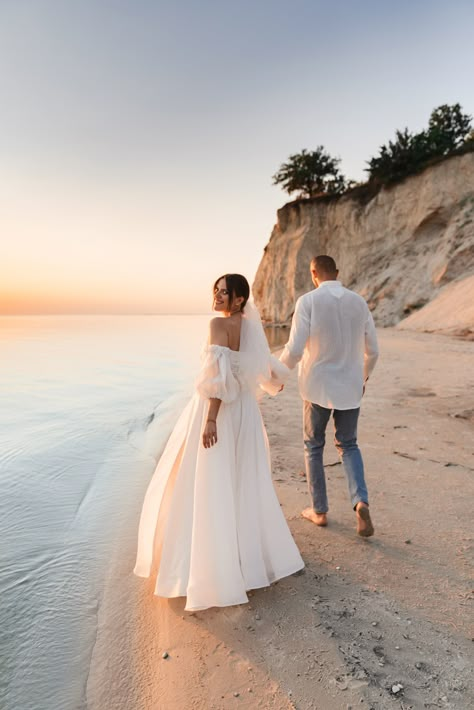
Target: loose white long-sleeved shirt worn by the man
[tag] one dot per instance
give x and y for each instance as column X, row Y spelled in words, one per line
column 333, row 338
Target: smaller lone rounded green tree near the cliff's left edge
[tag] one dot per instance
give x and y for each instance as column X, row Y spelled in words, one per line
column 311, row 173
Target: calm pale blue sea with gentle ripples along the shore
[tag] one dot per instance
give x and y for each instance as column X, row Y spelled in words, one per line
column 86, row 405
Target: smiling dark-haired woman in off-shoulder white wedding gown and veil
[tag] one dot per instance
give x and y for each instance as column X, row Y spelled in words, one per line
column 211, row 523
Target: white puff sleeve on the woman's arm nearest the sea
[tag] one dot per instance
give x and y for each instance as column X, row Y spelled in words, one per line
column 215, row 379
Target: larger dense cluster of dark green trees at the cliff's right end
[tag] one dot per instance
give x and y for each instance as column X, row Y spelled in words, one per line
column 448, row 132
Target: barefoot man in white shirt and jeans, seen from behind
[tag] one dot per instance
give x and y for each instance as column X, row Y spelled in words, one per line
column 333, row 334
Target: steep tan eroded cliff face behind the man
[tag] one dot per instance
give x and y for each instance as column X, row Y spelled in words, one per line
column 397, row 251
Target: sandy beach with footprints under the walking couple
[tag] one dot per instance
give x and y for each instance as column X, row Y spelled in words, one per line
column 378, row 623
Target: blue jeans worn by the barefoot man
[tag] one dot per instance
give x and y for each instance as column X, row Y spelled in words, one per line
column 315, row 419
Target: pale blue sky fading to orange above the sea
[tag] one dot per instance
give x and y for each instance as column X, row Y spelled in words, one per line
column 138, row 139
